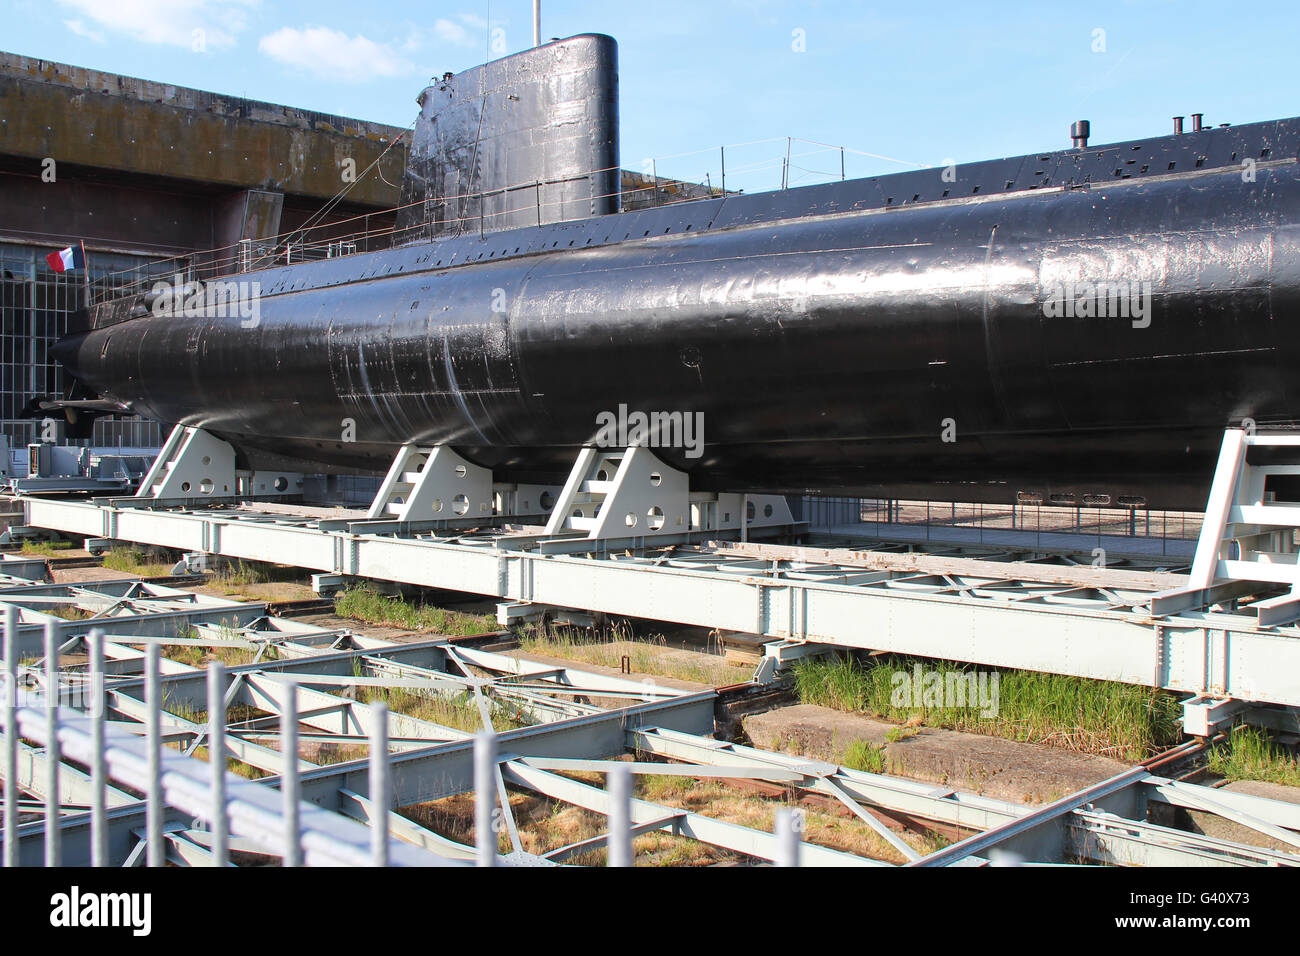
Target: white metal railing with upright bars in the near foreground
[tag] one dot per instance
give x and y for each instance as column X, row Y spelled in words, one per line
column 36, row 708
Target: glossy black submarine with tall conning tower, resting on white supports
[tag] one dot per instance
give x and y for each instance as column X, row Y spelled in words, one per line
column 1077, row 326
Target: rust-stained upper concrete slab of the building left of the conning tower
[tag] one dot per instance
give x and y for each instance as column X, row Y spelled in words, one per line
column 106, row 122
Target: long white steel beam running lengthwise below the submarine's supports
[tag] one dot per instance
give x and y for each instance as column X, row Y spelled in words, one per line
column 1082, row 631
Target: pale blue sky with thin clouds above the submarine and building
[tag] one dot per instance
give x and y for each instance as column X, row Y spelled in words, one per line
column 917, row 83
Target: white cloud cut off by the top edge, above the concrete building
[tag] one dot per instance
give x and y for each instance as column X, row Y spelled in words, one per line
column 172, row 23
